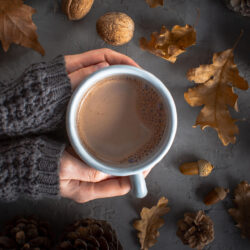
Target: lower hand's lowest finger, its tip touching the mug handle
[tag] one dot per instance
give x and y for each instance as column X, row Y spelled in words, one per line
column 85, row 191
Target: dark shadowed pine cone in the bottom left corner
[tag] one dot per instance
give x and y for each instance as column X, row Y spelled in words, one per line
column 26, row 233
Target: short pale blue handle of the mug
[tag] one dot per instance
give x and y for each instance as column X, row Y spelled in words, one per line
column 139, row 188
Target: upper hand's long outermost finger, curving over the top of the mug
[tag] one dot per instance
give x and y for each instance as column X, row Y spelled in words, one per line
column 76, row 62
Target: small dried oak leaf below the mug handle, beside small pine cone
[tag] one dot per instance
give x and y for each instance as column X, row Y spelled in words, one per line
column 150, row 222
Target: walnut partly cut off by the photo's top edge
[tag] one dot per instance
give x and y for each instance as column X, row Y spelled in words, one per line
column 76, row 9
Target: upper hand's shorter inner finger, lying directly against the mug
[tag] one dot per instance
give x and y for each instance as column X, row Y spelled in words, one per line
column 77, row 76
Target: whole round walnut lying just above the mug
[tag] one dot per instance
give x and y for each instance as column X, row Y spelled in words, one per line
column 115, row 28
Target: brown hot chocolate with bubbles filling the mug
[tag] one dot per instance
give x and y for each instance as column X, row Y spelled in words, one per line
column 121, row 119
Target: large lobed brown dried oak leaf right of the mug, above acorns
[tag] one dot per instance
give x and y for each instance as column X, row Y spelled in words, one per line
column 215, row 92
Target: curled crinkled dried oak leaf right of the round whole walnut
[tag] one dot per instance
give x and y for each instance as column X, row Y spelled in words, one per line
column 169, row 44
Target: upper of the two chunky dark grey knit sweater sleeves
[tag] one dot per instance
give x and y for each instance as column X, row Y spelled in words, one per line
column 36, row 101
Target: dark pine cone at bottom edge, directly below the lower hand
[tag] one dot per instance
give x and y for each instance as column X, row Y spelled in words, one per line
column 90, row 234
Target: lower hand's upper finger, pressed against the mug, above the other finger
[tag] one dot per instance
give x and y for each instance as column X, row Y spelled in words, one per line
column 72, row 168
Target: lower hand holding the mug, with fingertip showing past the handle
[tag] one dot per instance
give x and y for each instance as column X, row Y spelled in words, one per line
column 83, row 183
